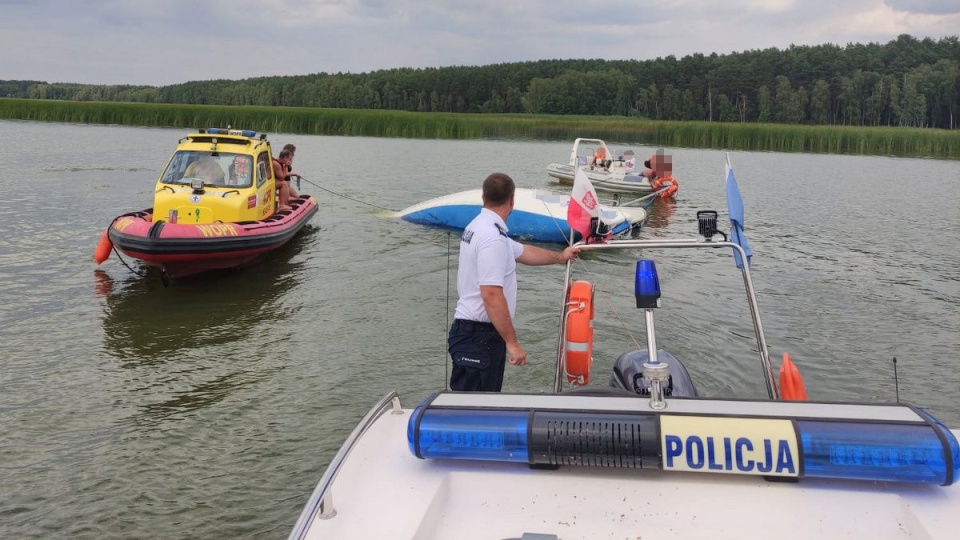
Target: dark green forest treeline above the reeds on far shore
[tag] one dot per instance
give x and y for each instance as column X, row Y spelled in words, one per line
column 906, row 82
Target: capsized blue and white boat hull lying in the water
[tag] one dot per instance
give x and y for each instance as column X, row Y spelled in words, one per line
column 539, row 216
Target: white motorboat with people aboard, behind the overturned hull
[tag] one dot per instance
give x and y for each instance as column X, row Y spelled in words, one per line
column 621, row 175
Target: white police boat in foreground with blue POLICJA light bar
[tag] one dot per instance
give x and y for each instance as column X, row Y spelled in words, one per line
column 646, row 455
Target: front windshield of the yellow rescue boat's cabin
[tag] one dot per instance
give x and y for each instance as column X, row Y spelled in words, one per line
column 221, row 169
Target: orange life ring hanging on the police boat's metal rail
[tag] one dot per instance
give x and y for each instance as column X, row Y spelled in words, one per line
column 578, row 342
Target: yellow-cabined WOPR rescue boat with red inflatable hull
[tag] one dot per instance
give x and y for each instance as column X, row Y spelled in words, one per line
column 215, row 207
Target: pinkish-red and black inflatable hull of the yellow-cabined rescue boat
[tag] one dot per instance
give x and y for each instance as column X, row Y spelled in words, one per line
column 180, row 249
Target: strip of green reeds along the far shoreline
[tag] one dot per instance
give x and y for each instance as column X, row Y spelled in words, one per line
column 888, row 141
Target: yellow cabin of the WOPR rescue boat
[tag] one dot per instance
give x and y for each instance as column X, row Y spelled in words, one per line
column 217, row 175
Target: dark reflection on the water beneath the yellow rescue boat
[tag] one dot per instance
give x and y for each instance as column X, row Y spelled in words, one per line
column 199, row 342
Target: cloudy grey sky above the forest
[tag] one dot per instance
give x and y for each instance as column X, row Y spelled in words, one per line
column 164, row 42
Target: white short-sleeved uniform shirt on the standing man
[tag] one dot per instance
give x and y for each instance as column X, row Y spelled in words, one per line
column 487, row 257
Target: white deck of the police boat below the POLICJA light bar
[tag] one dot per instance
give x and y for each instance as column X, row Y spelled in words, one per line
column 383, row 491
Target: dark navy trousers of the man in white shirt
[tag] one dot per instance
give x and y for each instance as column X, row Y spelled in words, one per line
column 479, row 356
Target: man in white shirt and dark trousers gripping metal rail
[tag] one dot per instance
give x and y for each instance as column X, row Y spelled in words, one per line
column 482, row 334
